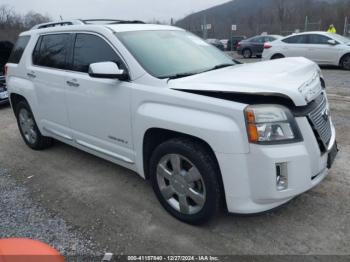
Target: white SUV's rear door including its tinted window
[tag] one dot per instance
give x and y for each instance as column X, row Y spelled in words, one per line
column 48, row 73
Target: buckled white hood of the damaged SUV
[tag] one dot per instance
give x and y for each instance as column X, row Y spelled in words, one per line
column 297, row 78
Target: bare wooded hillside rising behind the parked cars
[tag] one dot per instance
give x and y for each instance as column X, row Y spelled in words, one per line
column 273, row 16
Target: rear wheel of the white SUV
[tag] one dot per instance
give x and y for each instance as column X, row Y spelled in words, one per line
column 29, row 129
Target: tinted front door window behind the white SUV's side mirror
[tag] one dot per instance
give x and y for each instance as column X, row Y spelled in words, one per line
column 91, row 49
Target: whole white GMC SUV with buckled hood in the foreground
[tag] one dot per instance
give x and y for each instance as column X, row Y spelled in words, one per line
column 160, row 101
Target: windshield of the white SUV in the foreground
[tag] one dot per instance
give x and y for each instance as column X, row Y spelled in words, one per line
column 168, row 54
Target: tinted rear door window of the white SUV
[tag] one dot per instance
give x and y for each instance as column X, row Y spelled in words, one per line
column 52, row 51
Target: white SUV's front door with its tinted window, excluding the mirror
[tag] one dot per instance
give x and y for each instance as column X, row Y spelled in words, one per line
column 99, row 109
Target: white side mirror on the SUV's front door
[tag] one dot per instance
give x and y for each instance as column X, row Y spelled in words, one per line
column 108, row 70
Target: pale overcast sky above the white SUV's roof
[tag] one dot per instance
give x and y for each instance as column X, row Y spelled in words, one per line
column 123, row 9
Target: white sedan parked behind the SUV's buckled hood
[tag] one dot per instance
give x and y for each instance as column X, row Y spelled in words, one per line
column 320, row 47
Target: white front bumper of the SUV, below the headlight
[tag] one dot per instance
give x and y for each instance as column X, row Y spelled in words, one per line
column 250, row 183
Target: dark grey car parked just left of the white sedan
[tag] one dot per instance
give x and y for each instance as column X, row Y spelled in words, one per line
column 254, row 46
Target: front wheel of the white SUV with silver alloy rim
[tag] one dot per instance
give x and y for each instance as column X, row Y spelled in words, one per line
column 185, row 180
